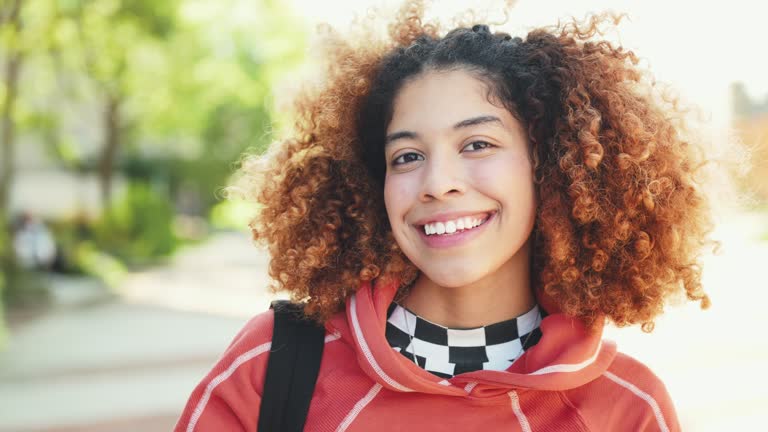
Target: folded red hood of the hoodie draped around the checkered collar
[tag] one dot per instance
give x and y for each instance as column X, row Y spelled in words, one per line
column 566, row 356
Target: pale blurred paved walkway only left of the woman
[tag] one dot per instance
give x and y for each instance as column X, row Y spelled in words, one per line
column 105, row 362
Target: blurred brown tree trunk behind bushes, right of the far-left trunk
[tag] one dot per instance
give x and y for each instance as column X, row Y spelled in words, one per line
column 110, row 148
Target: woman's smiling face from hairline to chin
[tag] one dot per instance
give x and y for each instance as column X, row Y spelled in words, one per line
column 459, row 185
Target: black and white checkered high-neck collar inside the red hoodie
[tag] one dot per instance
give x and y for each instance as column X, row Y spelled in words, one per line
column 448, row 352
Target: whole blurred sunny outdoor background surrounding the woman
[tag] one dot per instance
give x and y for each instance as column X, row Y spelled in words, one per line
column 125, row 272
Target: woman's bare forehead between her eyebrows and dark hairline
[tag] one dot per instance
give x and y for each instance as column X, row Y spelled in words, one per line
column 437, row 100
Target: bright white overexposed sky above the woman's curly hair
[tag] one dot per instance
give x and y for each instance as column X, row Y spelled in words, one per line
column 699, row 48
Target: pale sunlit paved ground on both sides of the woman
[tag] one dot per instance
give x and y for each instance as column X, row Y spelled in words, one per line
column 128, row 362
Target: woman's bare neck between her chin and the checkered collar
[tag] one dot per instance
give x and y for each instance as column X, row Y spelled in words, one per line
column 500, row 296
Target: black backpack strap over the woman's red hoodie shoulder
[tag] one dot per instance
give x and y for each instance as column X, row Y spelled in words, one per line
column 292, row 368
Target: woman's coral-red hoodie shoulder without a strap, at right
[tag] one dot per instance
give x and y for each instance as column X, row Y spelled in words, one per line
column 627, row 396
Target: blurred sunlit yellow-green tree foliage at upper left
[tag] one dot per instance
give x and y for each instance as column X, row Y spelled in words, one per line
column 164, row 94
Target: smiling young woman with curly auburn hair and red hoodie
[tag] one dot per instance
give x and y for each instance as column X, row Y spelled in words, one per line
column 463, row 211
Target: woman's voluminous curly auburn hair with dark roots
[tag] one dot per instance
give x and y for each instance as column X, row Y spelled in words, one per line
column 621, row 219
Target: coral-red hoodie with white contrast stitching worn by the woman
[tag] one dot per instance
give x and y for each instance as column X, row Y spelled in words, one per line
column 570, row 381
